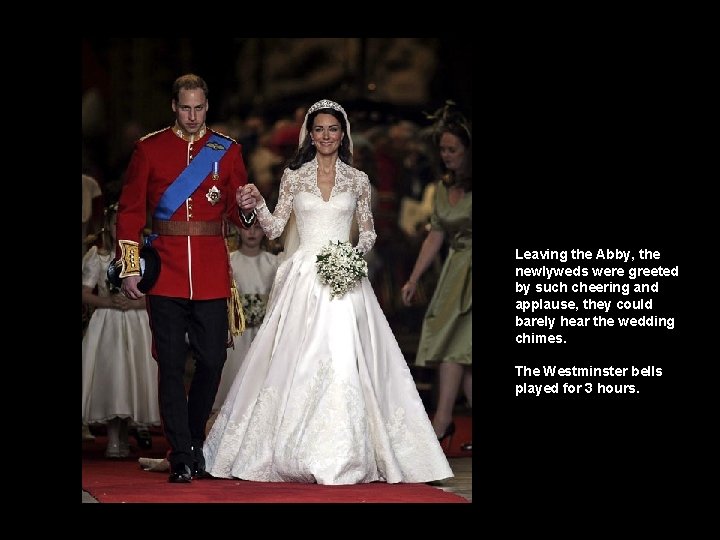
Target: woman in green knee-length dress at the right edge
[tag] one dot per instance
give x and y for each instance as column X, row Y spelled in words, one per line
column 446, row 332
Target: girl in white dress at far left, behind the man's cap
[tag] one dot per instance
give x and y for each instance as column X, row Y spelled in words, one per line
column 119, row 374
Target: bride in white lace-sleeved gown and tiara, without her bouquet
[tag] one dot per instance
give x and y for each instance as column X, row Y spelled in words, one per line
column 324, row 394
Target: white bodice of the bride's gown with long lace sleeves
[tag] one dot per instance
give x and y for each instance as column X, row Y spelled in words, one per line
column 320, row 221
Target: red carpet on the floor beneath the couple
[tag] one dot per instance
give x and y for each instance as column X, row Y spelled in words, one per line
column 118, row 481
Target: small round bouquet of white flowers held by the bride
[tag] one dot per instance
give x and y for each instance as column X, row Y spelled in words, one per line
column 340, row 266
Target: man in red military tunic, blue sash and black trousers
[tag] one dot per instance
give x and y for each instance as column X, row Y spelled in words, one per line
column 186, row 176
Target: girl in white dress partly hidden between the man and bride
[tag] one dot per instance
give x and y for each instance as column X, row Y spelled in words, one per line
column 254, row 270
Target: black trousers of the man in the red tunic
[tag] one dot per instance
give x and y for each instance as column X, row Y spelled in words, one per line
column 185, row 415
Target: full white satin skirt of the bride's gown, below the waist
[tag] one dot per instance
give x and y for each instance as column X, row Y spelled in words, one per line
column 324, row 394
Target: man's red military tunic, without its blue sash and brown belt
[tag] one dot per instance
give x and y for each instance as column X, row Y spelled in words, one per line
column 194, row 267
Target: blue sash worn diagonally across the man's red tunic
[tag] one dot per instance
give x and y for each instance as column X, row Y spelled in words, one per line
column 193, row 175
